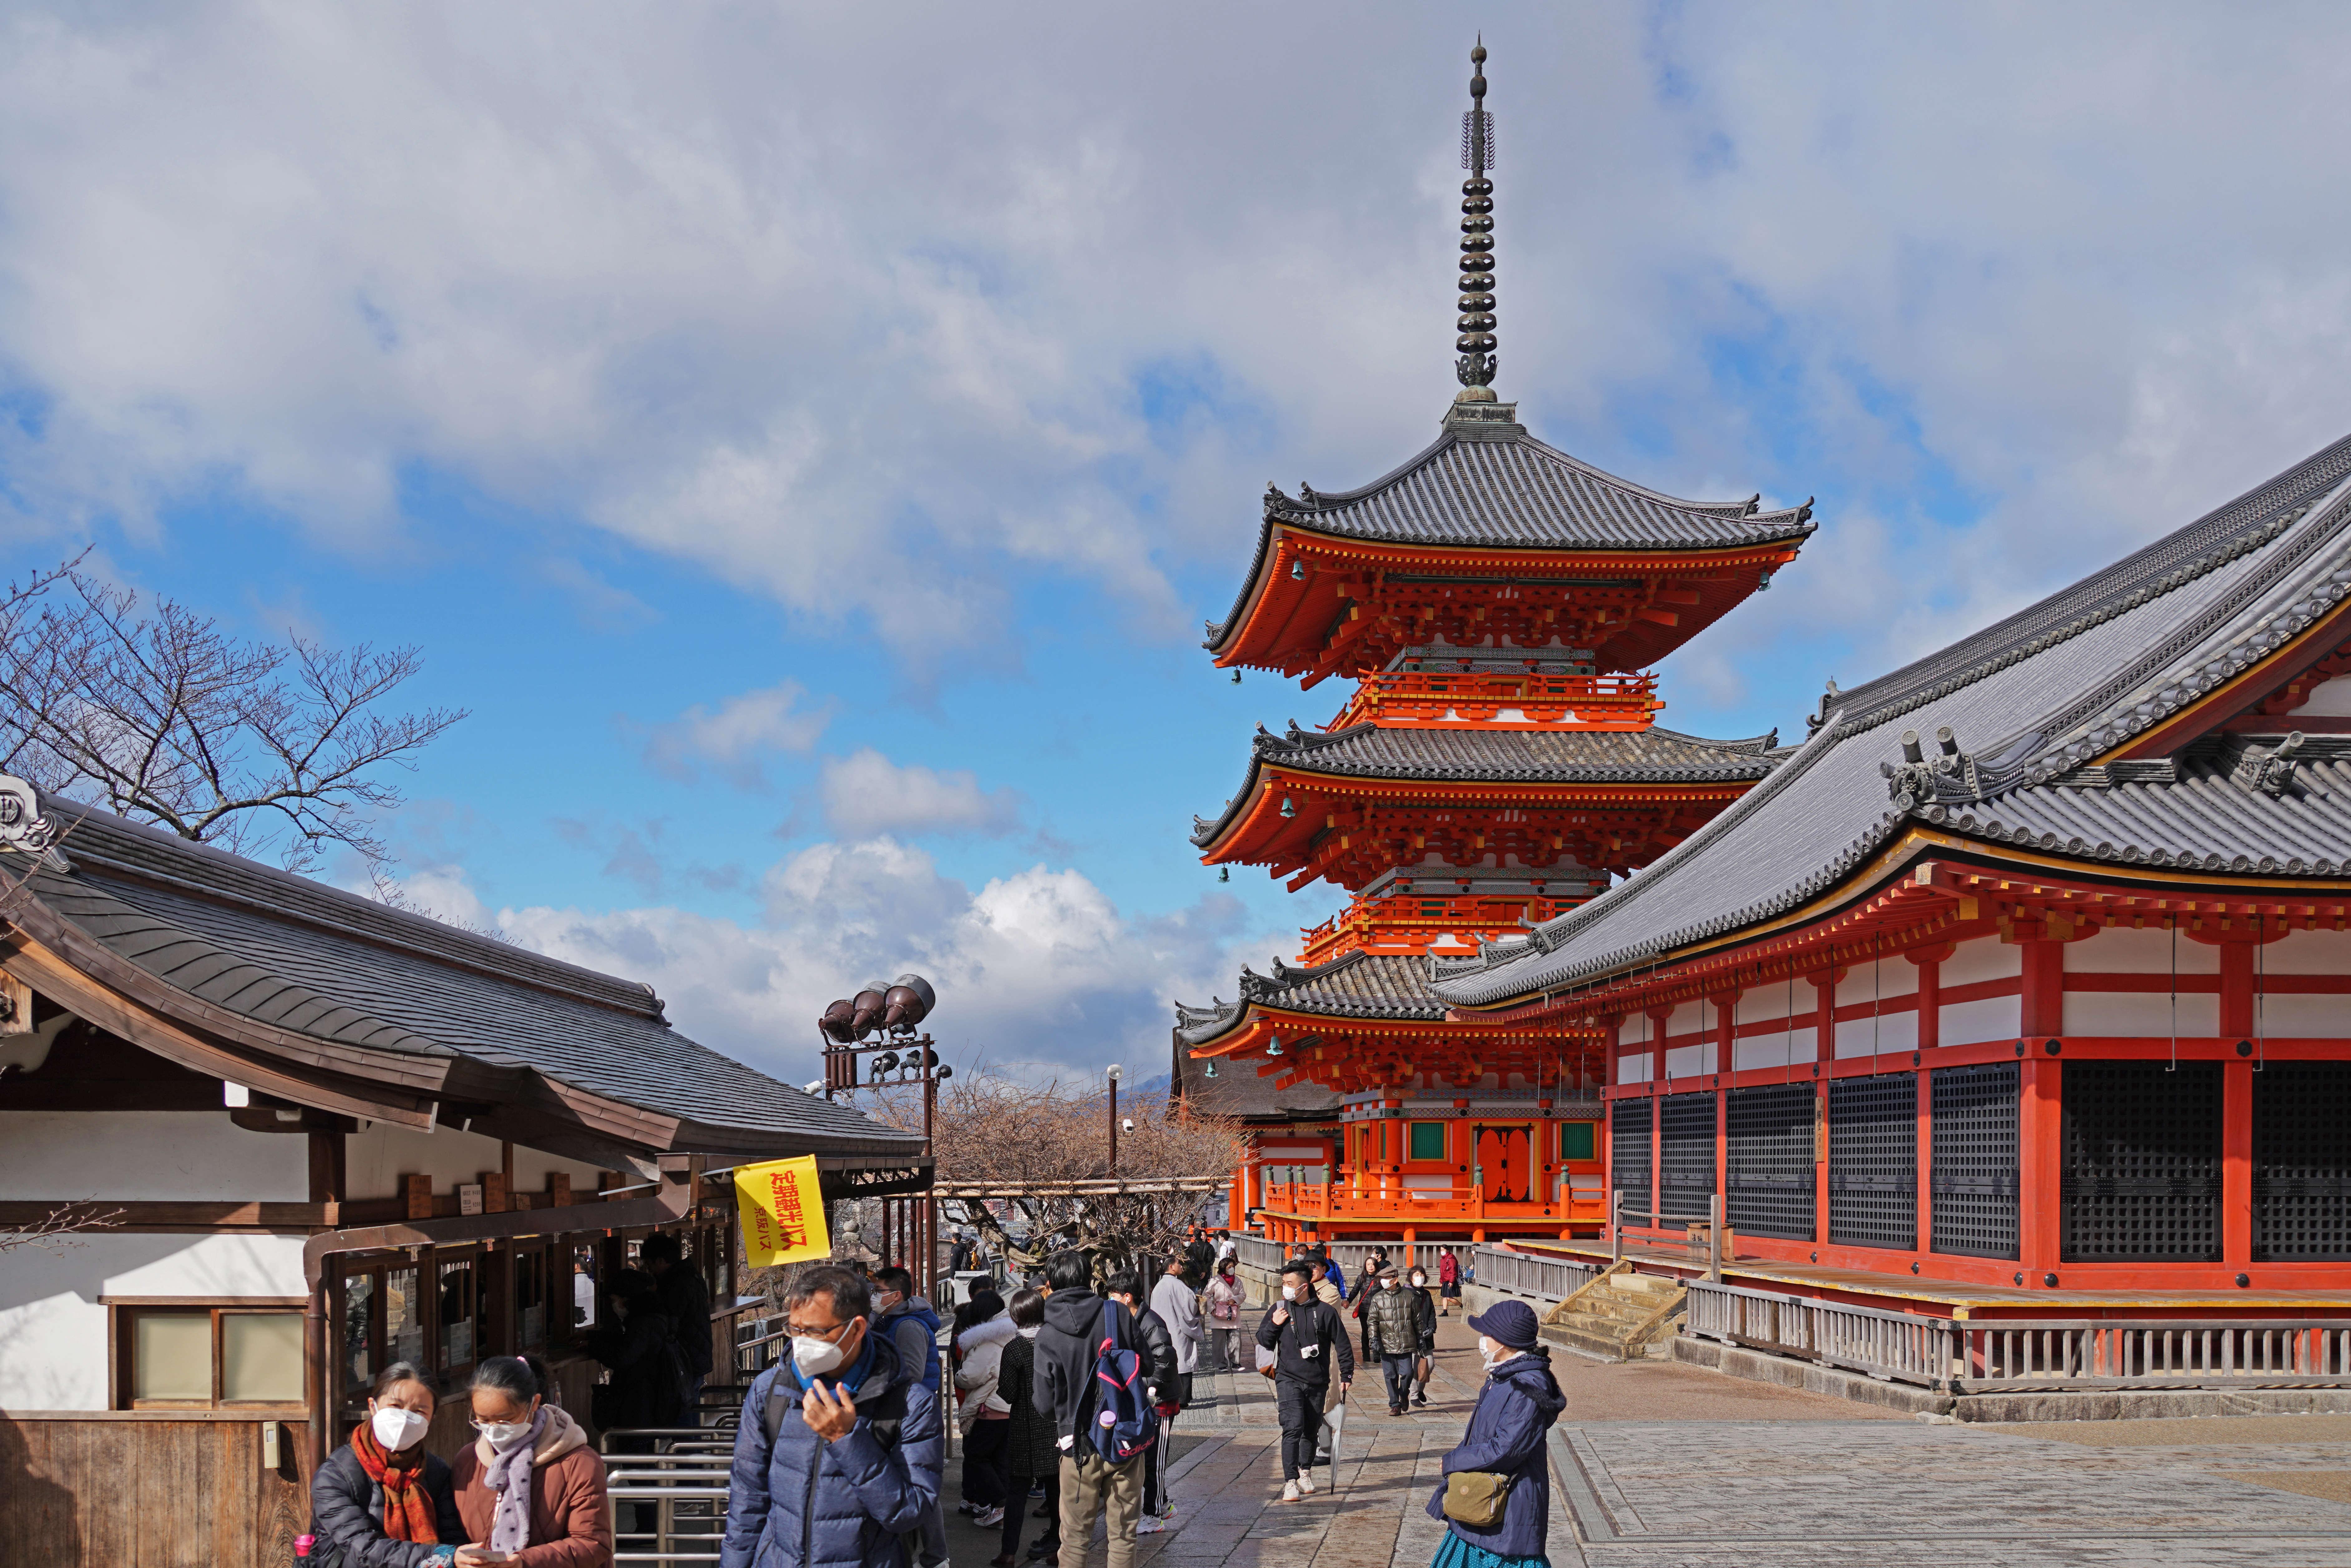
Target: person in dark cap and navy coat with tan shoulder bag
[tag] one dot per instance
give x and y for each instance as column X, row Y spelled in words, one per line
column 1506, row 1435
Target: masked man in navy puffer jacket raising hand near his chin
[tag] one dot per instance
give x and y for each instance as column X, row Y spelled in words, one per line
column 840, row 1447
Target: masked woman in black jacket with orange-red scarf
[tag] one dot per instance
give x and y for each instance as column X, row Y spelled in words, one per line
column 382, row 1501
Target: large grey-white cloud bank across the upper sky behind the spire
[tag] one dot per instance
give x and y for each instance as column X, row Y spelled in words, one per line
column 1061, row 297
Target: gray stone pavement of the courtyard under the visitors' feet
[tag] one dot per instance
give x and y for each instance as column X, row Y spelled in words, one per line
column 1663, row 1466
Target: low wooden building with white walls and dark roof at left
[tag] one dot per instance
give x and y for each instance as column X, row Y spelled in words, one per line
column 328, row 1137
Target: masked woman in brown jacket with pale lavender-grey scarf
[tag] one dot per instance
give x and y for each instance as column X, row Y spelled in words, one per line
column 530, row 1489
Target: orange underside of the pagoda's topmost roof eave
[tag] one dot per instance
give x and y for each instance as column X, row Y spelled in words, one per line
column 1292, row 622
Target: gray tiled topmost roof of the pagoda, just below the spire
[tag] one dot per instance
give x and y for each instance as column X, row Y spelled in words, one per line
column 1518, row 495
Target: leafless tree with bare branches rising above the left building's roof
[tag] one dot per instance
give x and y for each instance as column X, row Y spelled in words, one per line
column 260, row 749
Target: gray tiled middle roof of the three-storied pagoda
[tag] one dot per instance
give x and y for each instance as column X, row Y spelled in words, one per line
column 1501, row 756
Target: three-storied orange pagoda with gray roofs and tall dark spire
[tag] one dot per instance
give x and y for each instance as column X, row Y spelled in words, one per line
column 1496, row 605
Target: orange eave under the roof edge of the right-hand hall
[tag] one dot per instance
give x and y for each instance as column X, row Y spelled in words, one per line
column 1927, row 887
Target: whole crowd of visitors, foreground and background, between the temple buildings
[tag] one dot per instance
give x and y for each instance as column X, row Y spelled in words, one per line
column 1064, row 1393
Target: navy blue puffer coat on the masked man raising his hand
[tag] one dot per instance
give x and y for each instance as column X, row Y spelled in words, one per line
column 805, row 1503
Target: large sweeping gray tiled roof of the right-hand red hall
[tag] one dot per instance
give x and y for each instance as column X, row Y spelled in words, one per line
column 2030, row 704
